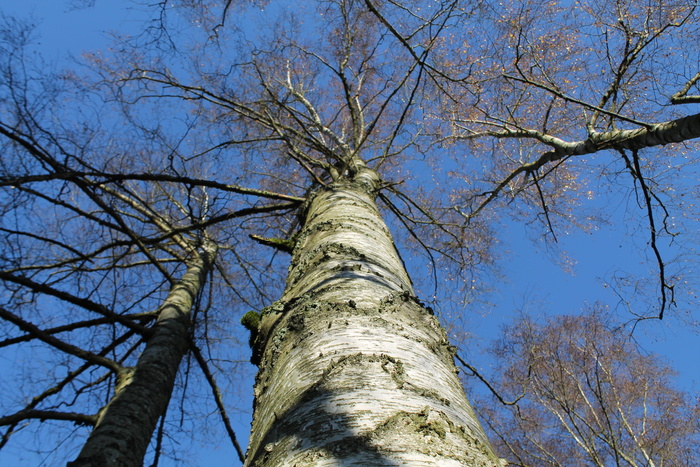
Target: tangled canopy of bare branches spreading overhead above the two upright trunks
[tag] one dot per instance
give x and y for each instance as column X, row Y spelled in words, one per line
column 208, row 125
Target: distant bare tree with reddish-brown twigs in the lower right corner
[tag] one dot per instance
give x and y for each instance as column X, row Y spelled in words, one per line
column 587, row 396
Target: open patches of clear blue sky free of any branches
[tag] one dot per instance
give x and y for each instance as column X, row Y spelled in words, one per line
column 533, row 276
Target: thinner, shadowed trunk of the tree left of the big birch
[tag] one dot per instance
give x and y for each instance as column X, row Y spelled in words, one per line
column 126, row 424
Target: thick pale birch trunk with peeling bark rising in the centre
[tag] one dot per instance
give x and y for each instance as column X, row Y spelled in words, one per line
column 353, row 370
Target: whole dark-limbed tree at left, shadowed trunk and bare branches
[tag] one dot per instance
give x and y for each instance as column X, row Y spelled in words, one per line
column 104, row 269
